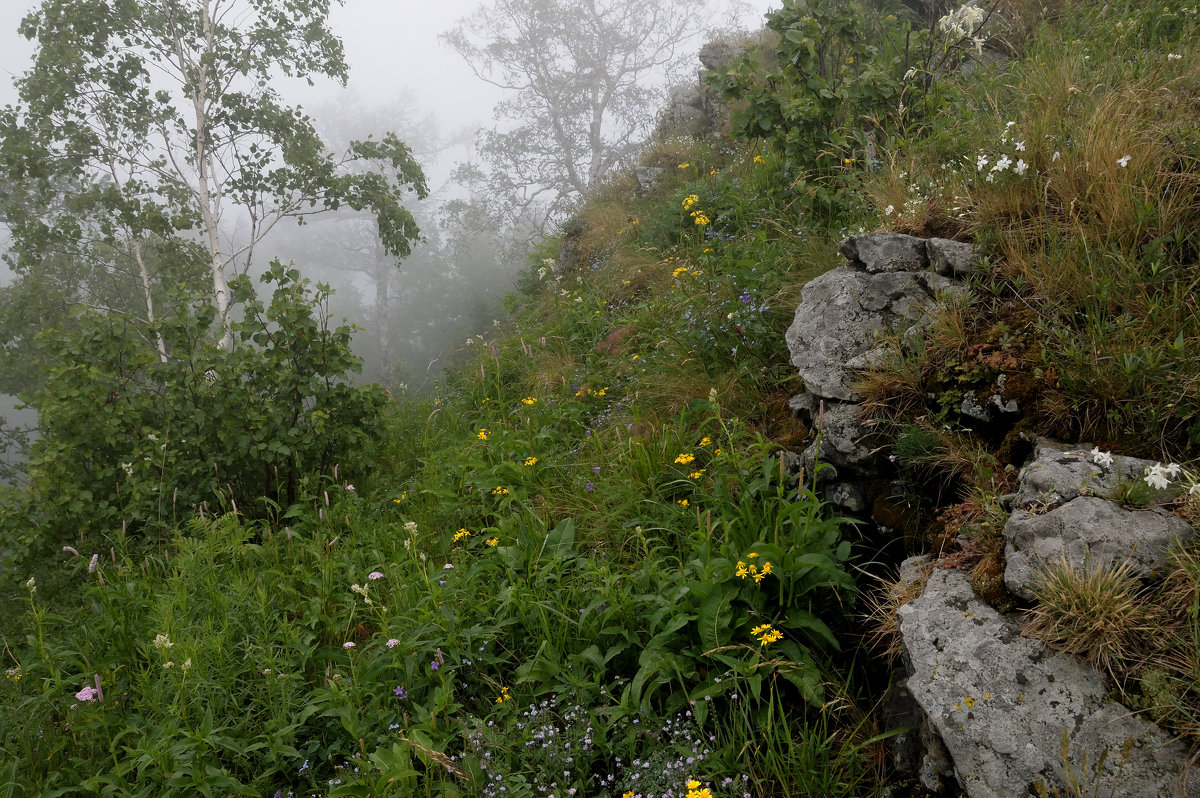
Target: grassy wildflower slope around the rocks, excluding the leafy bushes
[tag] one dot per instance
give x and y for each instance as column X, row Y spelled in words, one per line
column 563, row 536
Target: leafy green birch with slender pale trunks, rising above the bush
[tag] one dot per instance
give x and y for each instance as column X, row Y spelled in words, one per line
column 161, row 118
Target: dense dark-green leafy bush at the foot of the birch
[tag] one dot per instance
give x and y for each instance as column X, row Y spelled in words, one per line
column 135, row 445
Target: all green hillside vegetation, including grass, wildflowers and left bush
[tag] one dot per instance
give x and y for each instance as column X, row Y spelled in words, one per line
column 585, row 565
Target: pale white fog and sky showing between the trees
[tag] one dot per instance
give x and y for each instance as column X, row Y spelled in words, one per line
column 403, row 79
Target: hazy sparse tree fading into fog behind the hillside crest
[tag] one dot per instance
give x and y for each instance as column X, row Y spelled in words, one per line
column 589, row 81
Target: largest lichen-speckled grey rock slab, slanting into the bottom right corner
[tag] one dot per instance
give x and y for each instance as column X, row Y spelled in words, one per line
column 1000, row 704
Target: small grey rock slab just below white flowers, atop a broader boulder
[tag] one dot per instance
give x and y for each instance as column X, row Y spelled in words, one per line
column 1059, row 473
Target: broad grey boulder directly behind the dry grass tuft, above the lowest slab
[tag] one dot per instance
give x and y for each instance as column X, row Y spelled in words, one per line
column 1089, row 532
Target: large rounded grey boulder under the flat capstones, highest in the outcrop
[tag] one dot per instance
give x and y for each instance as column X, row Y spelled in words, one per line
column 841, row 315
